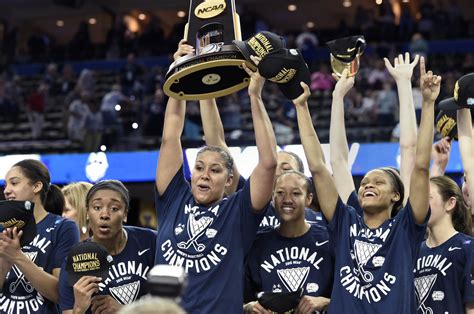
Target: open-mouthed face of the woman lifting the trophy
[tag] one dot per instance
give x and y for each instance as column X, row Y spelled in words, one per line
column 209, row 178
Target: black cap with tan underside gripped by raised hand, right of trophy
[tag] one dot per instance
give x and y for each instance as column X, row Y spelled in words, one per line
column 345, row 53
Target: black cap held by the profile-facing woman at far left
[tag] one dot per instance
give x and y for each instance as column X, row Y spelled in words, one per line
column 19, row 214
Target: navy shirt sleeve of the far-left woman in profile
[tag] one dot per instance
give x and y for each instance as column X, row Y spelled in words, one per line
column 67, row 235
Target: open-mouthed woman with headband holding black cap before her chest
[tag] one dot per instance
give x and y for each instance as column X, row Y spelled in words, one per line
column 132, row 249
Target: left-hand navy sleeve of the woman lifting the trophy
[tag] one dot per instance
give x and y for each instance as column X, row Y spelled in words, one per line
column 178, row 186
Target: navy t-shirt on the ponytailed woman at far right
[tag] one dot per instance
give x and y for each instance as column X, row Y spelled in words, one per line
column 443, row 276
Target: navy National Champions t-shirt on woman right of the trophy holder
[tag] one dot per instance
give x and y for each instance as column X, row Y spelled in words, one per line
column 280, row 264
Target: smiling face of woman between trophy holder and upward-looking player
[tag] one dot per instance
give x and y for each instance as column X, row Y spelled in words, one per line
column 290, row 197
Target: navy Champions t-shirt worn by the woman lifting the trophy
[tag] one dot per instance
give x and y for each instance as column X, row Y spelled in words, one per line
column 210, row 242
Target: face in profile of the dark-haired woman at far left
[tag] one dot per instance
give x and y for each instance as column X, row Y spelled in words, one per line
column 19, row 187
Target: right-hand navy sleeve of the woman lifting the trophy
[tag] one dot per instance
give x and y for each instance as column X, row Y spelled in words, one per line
column 249, row 218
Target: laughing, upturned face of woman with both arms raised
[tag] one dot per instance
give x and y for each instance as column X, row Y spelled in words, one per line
column 376, row 192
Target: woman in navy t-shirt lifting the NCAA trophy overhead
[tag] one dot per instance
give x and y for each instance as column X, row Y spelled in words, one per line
column 200, row 229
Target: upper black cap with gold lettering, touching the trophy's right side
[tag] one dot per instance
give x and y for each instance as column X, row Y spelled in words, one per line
column 260, row 45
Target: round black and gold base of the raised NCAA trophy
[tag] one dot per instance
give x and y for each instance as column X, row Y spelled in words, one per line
column 209, row 75
